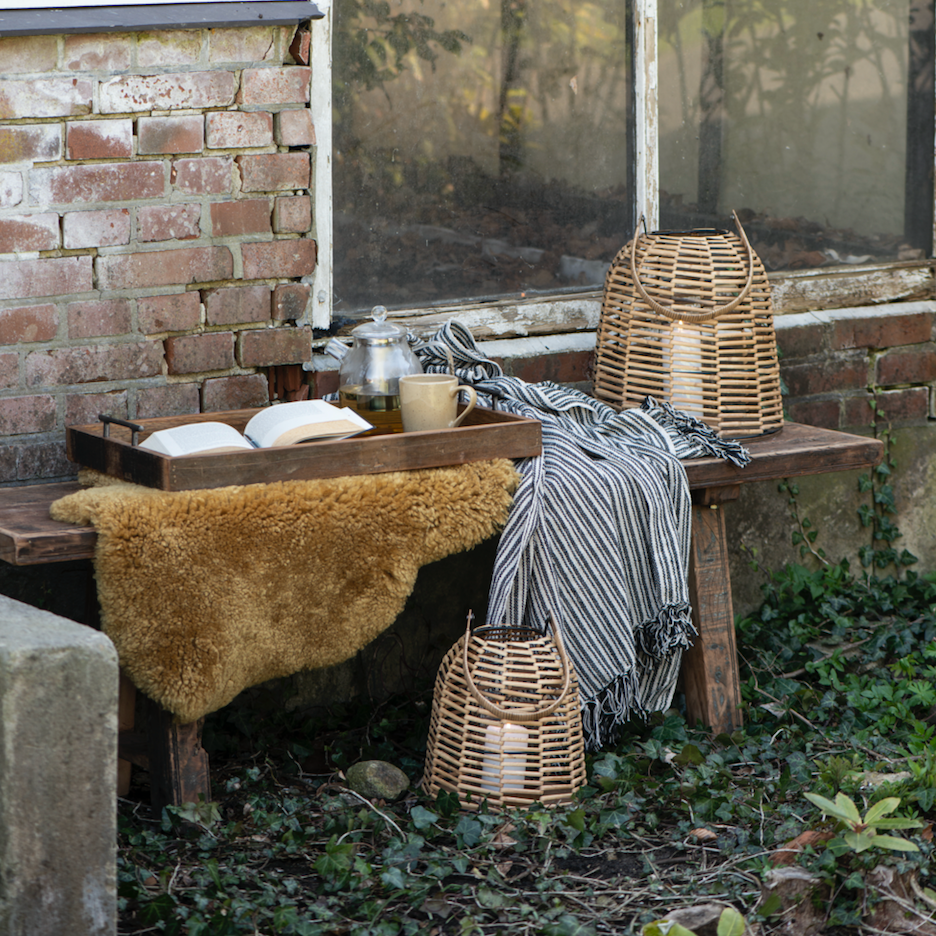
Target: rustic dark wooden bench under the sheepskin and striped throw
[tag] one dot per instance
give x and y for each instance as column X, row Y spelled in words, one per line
column 173, row 753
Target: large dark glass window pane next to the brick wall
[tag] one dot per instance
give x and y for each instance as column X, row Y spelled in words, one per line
column 480, row 148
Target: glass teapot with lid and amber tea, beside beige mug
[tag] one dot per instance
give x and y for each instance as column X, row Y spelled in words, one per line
column 370, row 371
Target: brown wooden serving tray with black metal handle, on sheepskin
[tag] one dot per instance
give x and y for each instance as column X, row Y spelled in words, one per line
column 485, row 434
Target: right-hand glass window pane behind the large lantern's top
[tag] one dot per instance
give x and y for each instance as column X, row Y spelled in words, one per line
column 812, row 118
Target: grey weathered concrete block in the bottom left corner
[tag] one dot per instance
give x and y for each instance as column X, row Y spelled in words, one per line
column 58, row 772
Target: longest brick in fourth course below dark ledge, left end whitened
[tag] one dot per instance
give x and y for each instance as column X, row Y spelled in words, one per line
column 68, row 185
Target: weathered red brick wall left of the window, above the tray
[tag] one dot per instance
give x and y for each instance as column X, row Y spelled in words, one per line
column 155, row 228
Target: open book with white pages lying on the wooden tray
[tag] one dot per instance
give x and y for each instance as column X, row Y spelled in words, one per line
column 282, row 424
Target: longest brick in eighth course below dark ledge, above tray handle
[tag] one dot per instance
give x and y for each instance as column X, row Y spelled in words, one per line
column 121, row 361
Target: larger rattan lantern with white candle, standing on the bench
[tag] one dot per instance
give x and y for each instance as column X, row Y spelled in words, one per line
column 687, row 319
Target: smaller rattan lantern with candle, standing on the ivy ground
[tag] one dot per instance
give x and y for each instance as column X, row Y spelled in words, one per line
column 506, row 724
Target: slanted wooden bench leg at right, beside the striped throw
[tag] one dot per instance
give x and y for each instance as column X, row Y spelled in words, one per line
column 710, row 666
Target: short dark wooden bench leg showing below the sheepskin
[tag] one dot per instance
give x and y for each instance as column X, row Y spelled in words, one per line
column 177, row 761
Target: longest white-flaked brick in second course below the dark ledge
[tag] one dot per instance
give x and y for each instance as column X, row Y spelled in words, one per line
column 195, row 90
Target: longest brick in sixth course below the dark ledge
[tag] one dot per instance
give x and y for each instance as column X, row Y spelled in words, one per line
column 164, row 268
